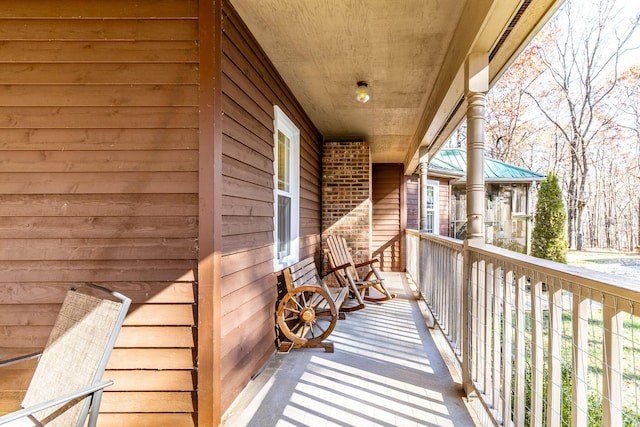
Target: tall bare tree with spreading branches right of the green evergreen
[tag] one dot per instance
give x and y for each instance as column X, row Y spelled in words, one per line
column 581, row 63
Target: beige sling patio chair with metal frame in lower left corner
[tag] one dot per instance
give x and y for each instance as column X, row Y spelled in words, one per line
column 67, row 384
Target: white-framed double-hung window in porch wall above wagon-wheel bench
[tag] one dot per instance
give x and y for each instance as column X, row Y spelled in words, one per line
column 286, row 190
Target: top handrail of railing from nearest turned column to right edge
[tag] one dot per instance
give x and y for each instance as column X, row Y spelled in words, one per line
column 608, row 283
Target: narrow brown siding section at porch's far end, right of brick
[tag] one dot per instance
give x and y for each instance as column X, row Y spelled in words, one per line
column 386, row 216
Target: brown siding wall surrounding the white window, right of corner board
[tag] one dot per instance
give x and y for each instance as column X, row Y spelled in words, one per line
column 251, row 88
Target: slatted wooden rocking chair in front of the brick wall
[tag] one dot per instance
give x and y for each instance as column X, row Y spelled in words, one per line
column 346, row 271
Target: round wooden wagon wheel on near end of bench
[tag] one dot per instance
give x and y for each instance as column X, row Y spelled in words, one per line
column 307, row 315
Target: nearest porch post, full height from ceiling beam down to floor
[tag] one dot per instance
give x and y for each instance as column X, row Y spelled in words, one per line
column 476, row 84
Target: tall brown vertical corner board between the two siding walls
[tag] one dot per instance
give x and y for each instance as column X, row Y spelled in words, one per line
column 209, row 286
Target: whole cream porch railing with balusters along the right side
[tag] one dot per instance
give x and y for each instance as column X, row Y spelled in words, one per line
column 539, row 343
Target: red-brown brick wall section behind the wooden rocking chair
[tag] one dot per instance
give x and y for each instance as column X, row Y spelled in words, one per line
column 346, row 195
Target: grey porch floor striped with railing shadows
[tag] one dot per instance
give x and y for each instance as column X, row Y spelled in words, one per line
column 386, row 371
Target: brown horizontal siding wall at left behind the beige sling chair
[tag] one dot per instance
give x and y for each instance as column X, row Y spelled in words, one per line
column 99, row 182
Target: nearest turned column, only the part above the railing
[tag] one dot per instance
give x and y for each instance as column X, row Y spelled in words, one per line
column 476, row 86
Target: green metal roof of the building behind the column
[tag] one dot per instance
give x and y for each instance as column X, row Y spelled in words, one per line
column 453, row 161
